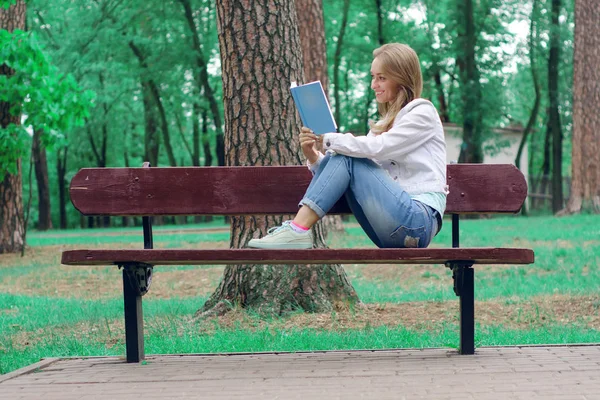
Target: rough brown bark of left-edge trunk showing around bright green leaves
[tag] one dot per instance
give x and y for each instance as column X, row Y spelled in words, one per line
column 12, row 227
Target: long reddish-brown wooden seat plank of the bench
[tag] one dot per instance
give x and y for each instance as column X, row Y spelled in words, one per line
column 313, row 256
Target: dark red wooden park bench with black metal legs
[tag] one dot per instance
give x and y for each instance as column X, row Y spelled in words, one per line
column 146, row 192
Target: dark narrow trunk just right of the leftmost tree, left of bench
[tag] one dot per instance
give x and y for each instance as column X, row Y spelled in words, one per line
column 40, row 163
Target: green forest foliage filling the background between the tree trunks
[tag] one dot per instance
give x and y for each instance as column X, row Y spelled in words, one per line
column 90, row 41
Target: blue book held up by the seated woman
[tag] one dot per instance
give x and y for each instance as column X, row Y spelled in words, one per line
column 313, row 107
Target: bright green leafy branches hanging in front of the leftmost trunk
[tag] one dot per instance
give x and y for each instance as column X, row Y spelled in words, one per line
column 48, row 100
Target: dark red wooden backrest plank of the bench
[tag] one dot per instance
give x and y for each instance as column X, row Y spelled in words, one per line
column 474, row 188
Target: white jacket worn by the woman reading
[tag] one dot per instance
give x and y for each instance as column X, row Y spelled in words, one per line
column 413, row 151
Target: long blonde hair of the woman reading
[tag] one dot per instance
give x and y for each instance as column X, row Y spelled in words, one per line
column 401, row 65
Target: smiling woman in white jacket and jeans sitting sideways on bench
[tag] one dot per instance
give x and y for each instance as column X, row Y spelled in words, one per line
column 394, row 179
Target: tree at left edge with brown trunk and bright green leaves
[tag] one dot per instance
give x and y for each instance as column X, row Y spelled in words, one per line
column 49, row 101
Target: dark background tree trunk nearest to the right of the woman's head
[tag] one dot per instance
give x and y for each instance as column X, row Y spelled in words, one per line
column 471, row 151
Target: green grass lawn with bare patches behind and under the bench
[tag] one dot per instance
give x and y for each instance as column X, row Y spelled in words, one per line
column 567, row 254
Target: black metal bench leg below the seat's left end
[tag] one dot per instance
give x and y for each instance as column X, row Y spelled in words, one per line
column 134, row 321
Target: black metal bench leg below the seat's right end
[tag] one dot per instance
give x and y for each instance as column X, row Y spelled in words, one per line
column 467, row 312
